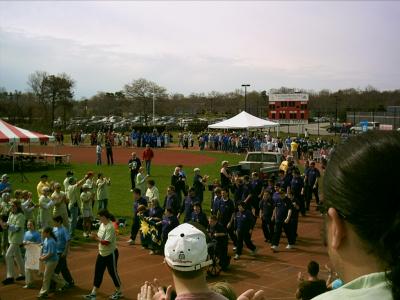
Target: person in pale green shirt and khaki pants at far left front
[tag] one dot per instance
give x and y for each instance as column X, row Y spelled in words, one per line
column 15, row 226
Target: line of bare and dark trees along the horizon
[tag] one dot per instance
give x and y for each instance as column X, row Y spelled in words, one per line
column 49, row 102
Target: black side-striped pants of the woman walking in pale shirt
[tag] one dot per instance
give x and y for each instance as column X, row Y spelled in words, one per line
column 109, row 262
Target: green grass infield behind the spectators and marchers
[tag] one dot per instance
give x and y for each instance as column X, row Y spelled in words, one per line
column 120, row 202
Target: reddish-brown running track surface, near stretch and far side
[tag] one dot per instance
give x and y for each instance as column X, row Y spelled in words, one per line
column 276, row 273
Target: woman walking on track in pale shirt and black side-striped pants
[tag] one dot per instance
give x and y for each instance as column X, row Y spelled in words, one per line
column 107, row 257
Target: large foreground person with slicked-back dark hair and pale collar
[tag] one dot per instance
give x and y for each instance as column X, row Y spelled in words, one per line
column 362, row 201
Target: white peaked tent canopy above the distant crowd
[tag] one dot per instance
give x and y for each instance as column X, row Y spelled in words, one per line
column 243, row 120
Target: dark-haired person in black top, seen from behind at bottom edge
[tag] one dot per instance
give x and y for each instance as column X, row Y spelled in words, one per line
column 311, row 287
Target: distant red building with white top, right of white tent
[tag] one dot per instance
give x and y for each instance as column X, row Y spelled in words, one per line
column 288, row 108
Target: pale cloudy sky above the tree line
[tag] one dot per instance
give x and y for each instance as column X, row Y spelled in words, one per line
column 202, row 46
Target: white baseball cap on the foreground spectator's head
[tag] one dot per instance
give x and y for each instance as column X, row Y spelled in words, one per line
column 186, row 248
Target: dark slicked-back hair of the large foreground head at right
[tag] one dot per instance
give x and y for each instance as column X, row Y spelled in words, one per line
column 361, row 183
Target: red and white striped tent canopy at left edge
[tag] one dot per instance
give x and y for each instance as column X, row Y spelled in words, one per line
column 12, row 134
